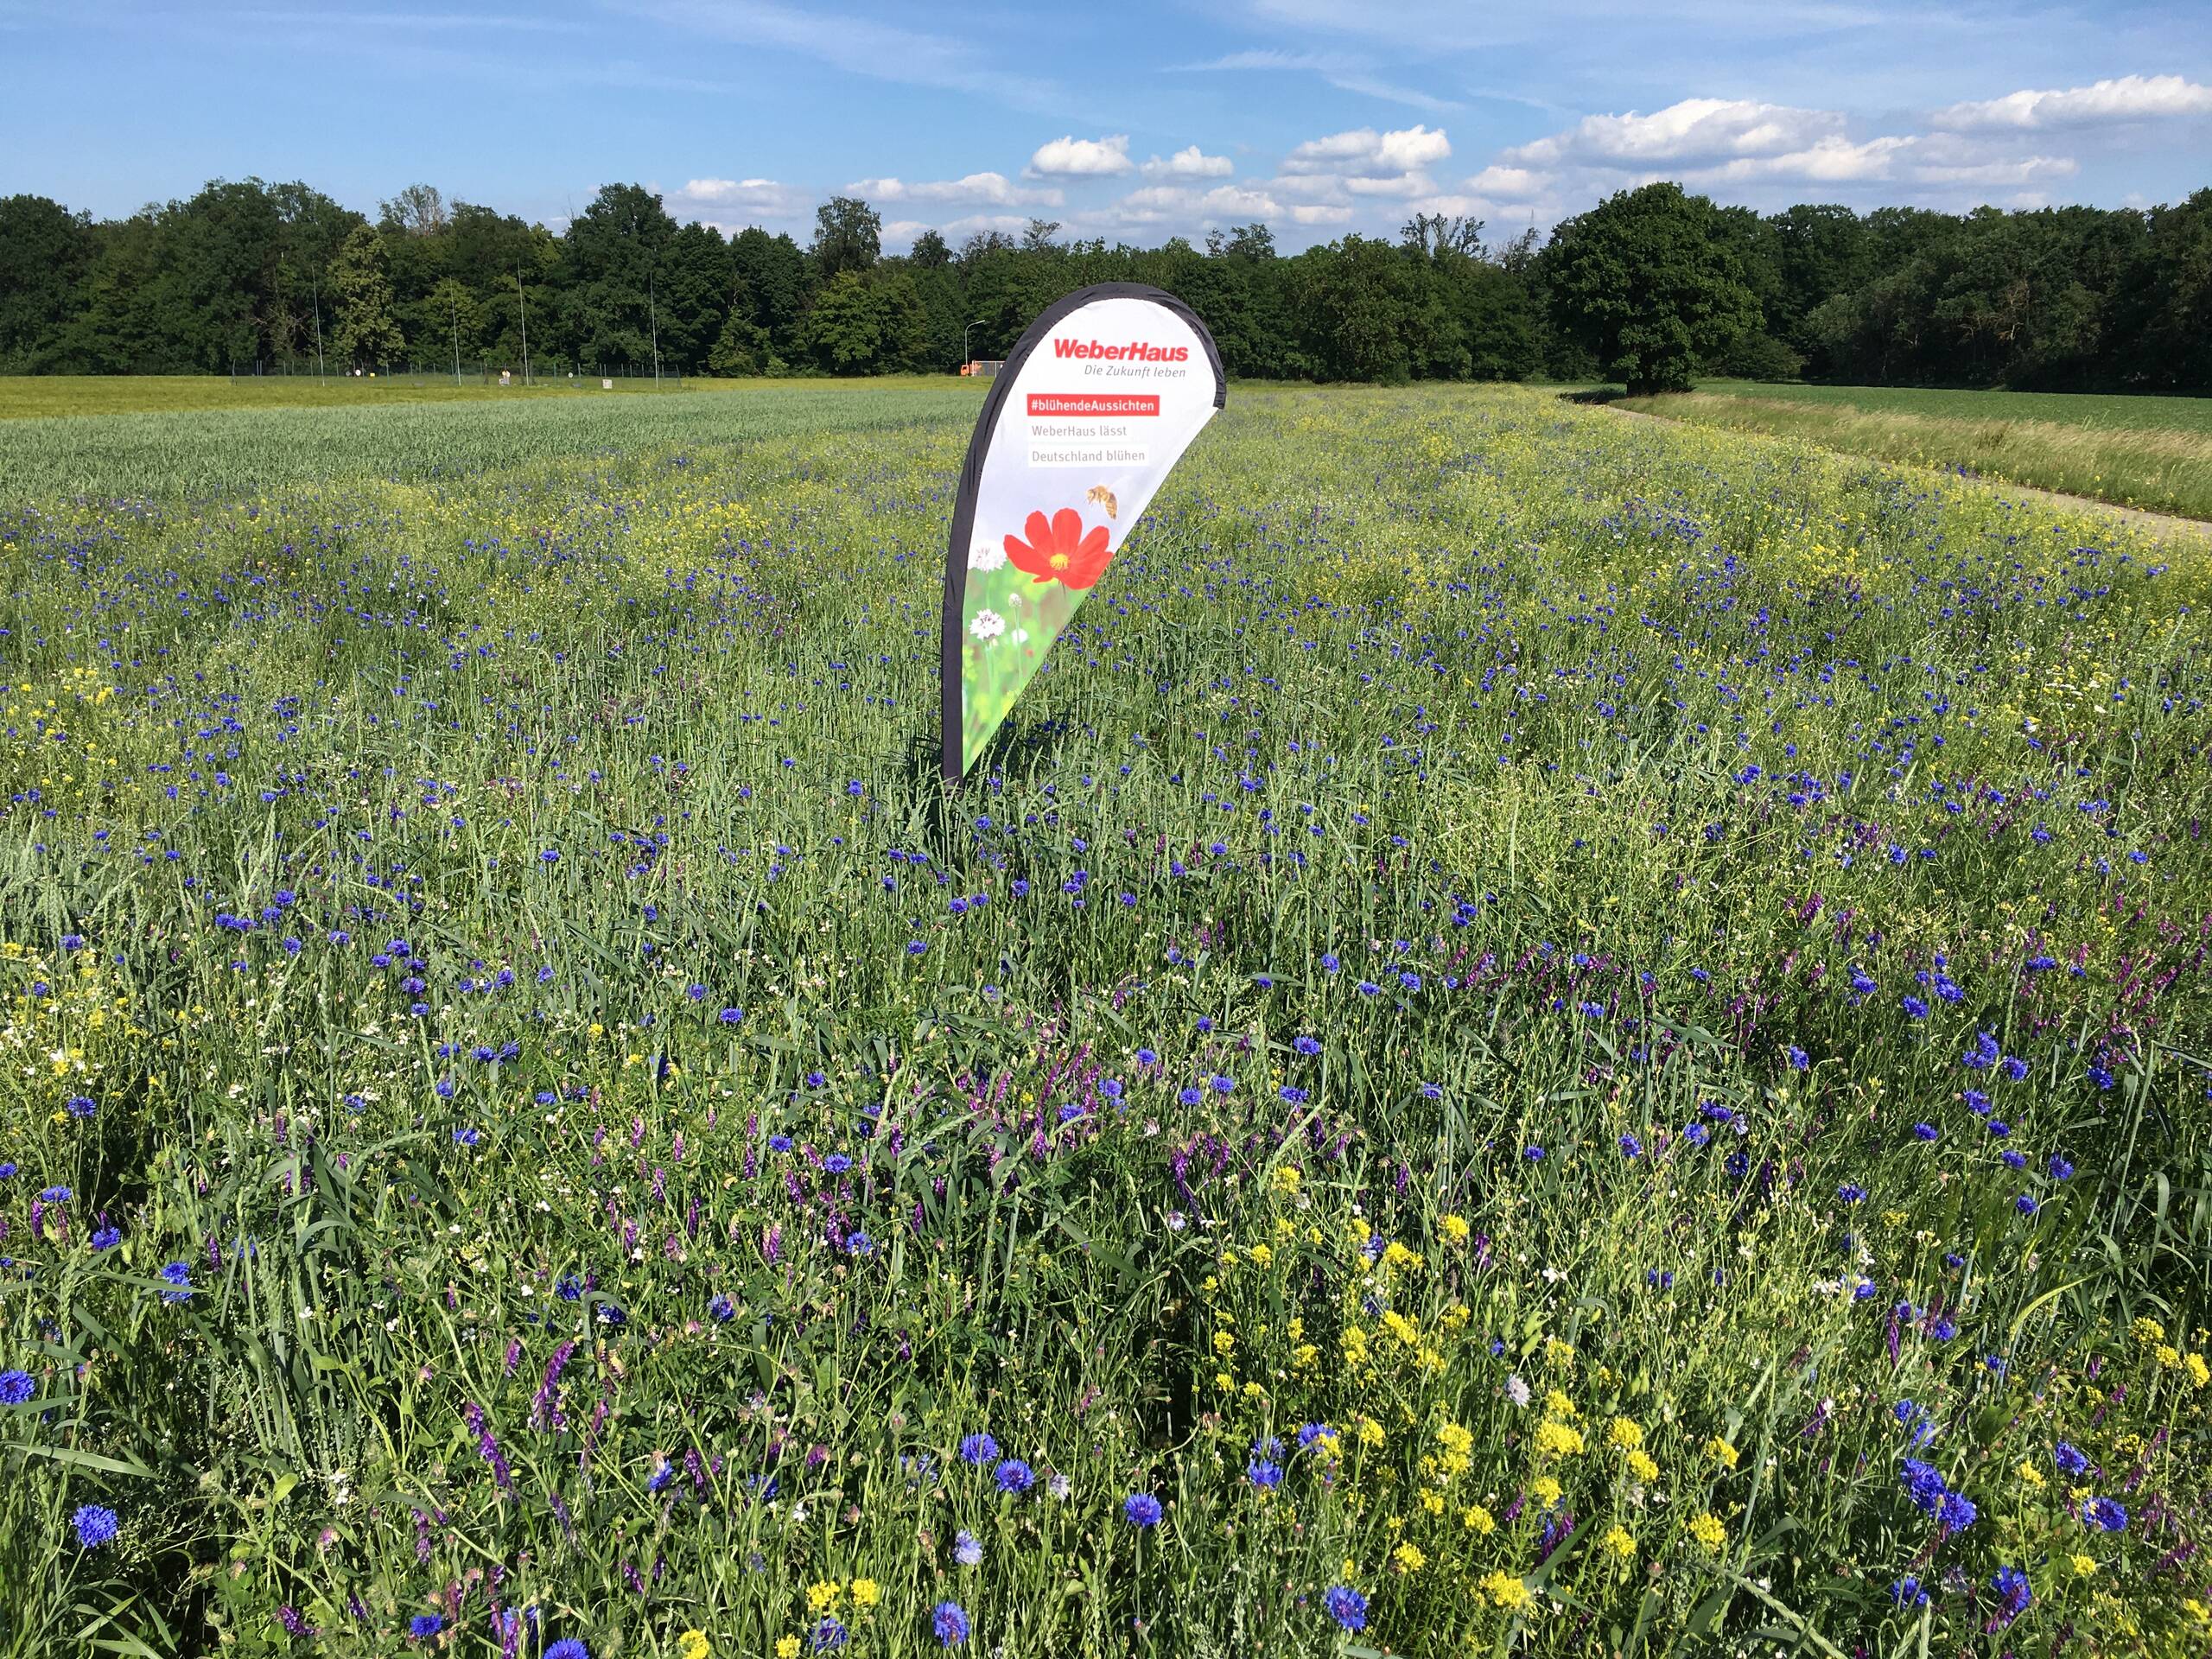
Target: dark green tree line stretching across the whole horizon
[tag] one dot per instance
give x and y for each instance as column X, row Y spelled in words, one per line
column 1651, row 286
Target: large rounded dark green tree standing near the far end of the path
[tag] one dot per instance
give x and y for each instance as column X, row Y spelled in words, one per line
column 1651, row 284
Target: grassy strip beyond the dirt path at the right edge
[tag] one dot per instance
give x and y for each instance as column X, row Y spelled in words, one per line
column 2156, row 468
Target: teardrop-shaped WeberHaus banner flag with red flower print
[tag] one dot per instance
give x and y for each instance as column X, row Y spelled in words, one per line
column 1083, row 424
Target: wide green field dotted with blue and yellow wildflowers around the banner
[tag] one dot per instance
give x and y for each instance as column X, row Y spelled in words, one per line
column 1545, row 1034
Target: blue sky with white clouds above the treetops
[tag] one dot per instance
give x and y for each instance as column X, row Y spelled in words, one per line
column 1134, row 121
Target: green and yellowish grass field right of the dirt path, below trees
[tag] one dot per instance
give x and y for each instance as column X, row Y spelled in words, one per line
column 2136, row 452
